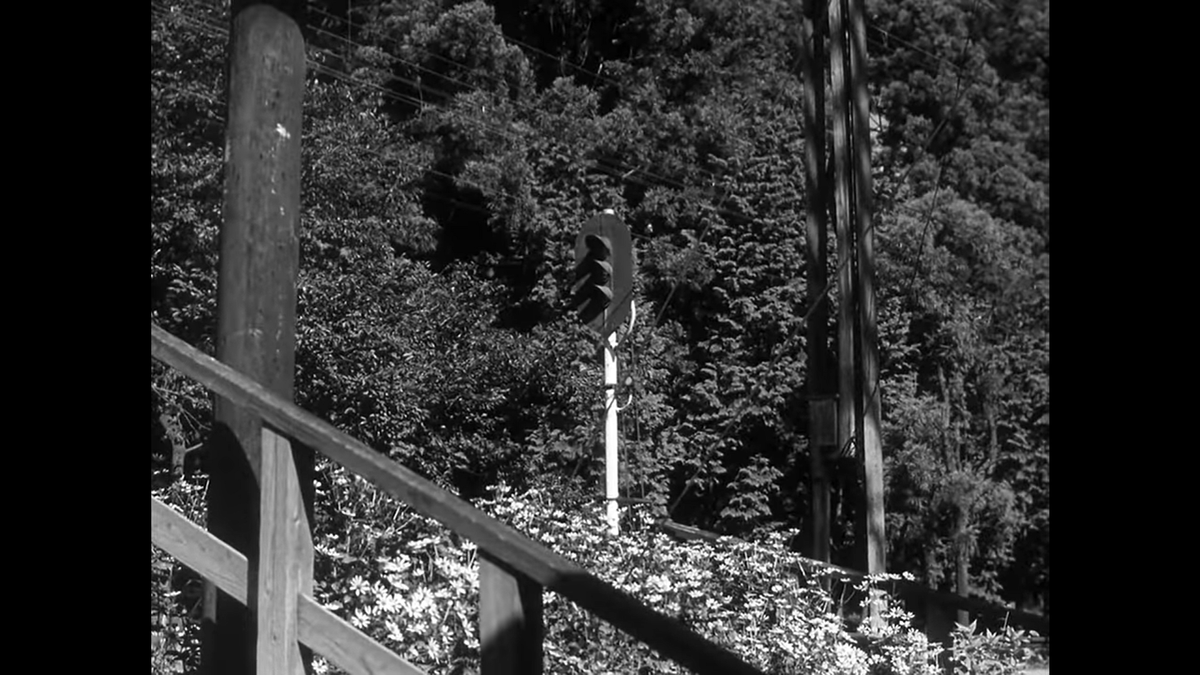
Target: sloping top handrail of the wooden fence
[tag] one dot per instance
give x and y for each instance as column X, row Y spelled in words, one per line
column 501, row 542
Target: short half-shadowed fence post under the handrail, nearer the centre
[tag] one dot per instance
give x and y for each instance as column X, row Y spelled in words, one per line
column 511, row 626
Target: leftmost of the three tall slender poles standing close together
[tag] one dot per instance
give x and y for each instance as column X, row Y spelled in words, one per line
column 817, row 240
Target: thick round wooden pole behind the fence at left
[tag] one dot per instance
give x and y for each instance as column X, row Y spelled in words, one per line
column 256, row 297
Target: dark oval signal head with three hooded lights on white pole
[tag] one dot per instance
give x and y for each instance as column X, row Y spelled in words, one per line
column 604, row 273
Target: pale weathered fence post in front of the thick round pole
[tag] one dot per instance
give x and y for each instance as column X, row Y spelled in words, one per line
column 281, row 555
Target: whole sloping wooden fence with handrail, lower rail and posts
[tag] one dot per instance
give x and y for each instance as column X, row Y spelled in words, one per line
column 514, row 569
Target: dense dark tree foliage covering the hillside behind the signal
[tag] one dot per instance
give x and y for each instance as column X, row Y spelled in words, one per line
column 453, row 150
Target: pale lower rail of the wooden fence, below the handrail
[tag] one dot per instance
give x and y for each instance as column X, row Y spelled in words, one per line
column 320, row 629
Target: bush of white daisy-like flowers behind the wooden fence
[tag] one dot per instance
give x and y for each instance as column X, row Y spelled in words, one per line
column 413, row 586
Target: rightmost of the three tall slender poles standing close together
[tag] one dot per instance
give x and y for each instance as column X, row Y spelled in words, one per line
column 868, row 431
